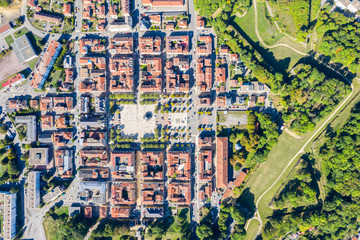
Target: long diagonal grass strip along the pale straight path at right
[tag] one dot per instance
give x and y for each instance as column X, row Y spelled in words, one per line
column 280, row 155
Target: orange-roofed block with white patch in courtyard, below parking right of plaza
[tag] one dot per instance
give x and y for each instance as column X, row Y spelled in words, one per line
column 179, row 165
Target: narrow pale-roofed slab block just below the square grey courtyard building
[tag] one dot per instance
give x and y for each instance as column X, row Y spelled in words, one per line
column 33, row 189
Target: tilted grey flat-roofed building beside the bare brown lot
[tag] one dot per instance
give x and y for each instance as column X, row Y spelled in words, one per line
column 23, row 49
